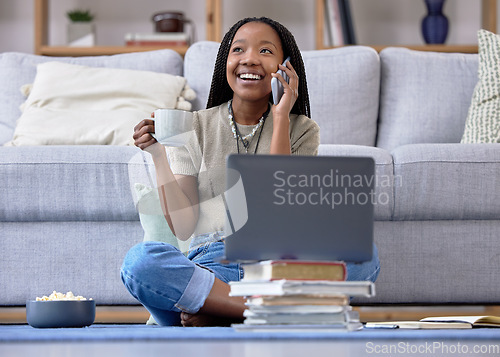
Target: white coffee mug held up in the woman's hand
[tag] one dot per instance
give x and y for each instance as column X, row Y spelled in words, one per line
column 173, row 127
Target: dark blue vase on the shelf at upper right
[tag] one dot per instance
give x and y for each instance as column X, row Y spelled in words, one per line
column 435, row 23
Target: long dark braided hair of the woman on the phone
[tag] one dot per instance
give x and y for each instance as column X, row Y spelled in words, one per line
column 221, row 92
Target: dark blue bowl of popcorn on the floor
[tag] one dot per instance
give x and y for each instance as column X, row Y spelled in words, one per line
column 60, row 310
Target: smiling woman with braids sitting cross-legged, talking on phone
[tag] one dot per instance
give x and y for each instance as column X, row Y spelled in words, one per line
column 239, row 118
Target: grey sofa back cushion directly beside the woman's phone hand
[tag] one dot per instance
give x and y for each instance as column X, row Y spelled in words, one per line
column 344, row 87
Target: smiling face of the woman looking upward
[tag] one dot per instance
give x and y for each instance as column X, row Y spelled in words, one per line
column 255, row 53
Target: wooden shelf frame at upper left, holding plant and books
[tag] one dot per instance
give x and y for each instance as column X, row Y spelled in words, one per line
column 213, row 23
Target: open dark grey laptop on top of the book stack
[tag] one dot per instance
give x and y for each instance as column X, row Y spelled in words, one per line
column 299, row 207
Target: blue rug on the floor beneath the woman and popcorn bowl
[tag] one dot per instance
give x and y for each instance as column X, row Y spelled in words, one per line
column 25, row 333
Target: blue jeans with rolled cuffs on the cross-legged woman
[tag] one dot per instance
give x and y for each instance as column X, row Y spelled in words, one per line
column 167, row 282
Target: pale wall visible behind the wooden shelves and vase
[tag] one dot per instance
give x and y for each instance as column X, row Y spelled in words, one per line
column 381, row 22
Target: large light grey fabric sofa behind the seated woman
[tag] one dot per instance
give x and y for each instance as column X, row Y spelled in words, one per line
column 68, row 215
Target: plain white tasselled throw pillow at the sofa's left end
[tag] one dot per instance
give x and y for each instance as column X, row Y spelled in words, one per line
column 78, row 105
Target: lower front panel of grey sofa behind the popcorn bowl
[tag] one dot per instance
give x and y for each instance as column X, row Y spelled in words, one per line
column 83, row 257
